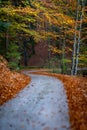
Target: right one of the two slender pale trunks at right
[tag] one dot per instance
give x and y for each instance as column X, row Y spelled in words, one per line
column 79, row 40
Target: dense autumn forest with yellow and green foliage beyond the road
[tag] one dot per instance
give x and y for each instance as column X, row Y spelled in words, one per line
column 61, row 25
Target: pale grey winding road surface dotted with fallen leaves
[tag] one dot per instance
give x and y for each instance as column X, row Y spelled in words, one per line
column 42, row 105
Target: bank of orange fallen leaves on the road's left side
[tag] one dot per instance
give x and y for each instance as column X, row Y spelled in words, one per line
column 10, row 82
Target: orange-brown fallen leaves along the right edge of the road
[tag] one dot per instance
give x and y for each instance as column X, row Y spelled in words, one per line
column 76, row 90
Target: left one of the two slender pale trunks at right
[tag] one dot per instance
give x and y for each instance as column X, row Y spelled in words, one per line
column 75, row 41
